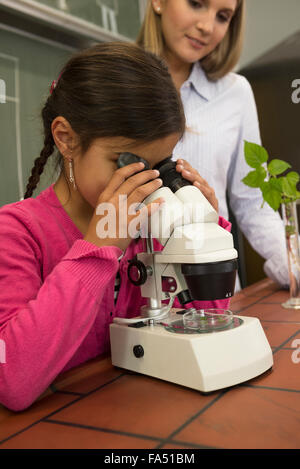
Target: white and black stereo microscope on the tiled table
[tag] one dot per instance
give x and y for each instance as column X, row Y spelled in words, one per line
column 203, row 349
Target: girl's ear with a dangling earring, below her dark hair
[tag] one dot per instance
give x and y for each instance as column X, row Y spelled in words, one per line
column 64, row 136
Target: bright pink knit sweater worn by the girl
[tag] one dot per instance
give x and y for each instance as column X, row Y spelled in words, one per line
column 56, row 296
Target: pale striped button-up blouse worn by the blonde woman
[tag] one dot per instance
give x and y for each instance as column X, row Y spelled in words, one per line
column 220, row 116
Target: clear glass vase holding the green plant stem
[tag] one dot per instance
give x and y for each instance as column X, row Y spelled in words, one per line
column 290, row 219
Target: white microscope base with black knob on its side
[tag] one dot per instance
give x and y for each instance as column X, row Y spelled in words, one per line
column 205, row 362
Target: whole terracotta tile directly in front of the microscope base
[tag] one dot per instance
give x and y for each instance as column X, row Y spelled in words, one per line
column 137, row 404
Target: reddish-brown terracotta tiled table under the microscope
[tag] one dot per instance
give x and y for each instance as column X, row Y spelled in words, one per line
column 99, row 406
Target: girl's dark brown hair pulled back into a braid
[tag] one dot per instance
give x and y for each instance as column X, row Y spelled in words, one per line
column 111, row 90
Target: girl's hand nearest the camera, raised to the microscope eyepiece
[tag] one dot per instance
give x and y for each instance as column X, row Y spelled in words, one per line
column 134, row 186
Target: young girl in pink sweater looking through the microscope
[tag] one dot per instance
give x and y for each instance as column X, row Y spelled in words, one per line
column 57, row 276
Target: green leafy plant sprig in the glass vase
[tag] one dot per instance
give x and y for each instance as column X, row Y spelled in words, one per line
column 276, row 189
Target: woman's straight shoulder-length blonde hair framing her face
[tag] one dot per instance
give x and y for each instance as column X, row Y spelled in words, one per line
column 219, row 62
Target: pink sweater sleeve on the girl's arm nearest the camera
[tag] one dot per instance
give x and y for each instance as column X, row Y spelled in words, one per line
column 48, row 323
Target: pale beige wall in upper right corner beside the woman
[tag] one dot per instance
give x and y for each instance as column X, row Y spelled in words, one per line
column 268, row 23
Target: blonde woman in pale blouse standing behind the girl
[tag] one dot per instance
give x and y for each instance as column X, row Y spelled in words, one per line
column 201, row 42
